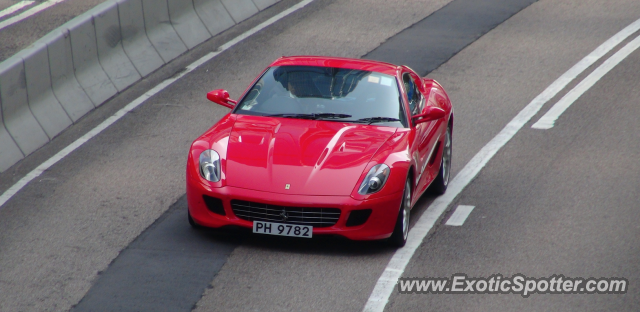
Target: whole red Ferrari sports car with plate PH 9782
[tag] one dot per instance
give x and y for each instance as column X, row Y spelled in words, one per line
column 323, row 145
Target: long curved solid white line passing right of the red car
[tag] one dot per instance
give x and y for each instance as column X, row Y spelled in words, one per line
column 389, row 278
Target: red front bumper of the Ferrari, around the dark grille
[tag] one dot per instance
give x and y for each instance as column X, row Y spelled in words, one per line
column 379, row 225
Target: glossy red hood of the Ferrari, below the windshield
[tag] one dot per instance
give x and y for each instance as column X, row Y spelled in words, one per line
column 298, row 156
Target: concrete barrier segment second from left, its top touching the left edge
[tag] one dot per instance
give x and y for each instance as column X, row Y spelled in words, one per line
column 18, row 119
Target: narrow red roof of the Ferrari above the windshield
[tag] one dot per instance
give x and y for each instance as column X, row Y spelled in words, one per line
column 339, row 62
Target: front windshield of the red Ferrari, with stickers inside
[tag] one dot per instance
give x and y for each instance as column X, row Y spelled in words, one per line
column 325, row 93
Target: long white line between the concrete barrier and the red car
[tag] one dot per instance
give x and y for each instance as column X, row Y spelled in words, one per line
column 109, row 121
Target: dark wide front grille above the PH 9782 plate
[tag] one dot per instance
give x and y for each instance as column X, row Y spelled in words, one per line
column 316, row 217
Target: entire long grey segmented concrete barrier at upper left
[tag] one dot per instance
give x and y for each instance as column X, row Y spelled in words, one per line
column 47, row 87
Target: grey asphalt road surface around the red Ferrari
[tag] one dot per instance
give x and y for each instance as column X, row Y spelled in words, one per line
column 557, row 201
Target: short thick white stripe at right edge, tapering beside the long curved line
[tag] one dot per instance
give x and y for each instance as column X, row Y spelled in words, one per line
column 548, row 120
